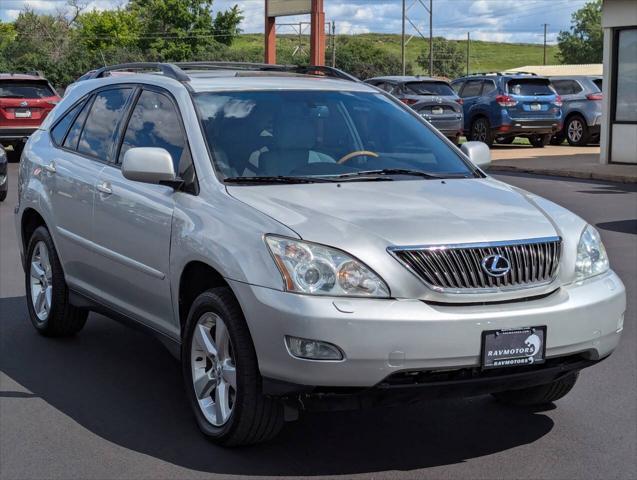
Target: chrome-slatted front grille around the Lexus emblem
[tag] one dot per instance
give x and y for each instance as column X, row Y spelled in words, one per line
column 459, row 267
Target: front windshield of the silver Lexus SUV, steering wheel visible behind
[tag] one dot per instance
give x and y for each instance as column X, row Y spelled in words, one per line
column 326, row 134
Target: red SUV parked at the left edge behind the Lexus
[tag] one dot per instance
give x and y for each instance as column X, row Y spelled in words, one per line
column 25, row 100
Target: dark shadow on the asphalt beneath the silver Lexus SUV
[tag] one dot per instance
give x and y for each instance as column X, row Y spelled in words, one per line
column 124, row 387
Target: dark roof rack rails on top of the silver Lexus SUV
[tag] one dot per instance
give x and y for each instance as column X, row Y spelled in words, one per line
column 177, row 70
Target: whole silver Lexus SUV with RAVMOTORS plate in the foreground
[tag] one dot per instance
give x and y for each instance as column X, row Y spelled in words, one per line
column 303, row 241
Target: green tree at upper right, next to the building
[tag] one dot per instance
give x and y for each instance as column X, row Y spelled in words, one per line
column 584, row 42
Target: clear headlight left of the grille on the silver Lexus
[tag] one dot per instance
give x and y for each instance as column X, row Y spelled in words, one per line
column 319, row 270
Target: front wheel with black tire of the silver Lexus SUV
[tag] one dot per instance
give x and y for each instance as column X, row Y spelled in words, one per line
column 221, row 374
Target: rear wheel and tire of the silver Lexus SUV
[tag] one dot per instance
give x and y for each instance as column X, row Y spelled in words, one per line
column 50, row 311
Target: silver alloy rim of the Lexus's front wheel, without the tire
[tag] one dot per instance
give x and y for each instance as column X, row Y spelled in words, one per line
column 214, row 374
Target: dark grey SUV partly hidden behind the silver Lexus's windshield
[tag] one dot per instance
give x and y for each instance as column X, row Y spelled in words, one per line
column 432, row 98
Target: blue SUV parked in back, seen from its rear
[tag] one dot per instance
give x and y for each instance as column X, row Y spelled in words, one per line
column 501, row 106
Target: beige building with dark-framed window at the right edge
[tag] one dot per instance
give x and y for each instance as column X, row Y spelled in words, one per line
column 619, row 107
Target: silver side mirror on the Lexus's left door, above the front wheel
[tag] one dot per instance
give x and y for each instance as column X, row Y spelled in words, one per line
column 148, row 165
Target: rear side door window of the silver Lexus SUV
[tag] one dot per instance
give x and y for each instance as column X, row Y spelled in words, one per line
column 98, row 135
